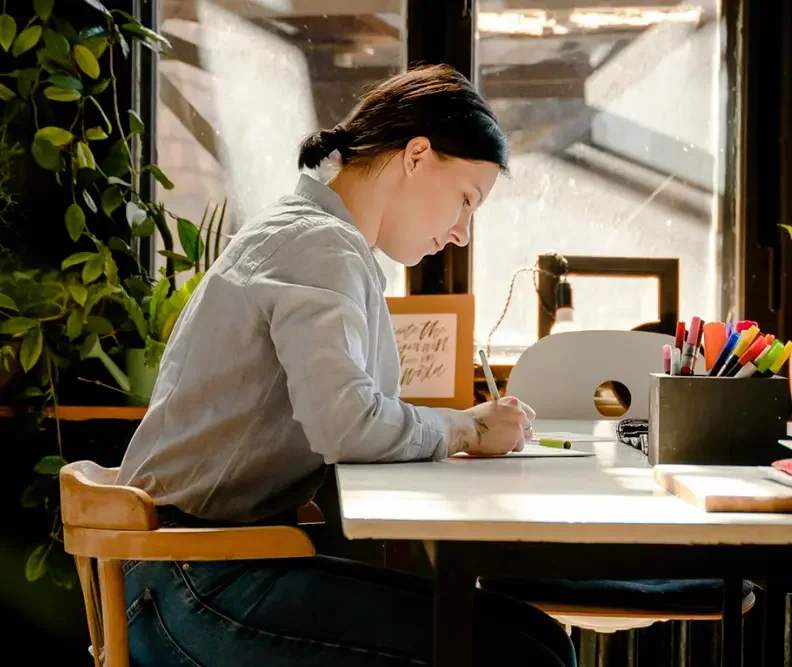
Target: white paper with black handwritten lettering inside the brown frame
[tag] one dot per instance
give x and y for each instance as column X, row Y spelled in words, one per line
column 427, row 350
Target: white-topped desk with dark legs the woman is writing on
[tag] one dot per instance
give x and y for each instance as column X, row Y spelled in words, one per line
column 575, row 512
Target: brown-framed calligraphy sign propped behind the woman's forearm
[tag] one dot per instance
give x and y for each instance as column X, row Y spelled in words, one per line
column 434, row 333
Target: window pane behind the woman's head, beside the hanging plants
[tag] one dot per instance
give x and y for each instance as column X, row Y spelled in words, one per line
column 245, row 82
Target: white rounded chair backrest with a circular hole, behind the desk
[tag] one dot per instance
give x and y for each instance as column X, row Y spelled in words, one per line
column 559, row 375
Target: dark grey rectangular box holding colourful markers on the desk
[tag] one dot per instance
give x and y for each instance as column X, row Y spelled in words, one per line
column 703, row 420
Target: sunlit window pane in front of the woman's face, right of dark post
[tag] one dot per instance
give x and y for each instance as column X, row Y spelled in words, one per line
column 615, row 120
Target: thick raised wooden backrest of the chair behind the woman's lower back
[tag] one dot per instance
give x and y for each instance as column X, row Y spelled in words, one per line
column 90, row 499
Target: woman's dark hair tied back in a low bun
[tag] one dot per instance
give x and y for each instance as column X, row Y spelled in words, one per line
column 433, row 101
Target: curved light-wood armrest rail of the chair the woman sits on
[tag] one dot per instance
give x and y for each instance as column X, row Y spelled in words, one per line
column 249, row 543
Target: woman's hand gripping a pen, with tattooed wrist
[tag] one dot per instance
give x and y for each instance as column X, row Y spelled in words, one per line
column 493, row 428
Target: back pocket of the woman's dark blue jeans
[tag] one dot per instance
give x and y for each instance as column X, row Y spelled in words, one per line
column 150, row 642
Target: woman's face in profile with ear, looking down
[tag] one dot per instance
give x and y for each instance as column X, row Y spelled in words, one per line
column 431, row 202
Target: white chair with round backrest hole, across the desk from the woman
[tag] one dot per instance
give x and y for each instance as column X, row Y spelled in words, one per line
column 558, row 377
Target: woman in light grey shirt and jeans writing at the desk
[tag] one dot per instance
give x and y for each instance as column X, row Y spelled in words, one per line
column 284, row 361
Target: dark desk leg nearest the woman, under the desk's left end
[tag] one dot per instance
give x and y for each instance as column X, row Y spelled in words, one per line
column 455, row 588
